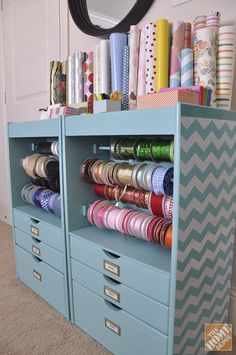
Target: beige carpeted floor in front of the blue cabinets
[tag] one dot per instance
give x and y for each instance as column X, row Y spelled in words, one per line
column 28, row 325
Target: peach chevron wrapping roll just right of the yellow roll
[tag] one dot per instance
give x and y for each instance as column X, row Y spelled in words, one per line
column 178, row 28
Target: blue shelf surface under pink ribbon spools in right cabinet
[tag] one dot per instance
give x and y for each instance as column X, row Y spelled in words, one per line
column 153, row 255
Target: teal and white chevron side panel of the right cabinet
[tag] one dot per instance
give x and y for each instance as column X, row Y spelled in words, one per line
column 207, row 210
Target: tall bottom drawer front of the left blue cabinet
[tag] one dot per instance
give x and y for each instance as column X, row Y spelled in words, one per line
column 41, row 278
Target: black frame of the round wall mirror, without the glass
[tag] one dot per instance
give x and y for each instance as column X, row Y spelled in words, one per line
column 79, row 13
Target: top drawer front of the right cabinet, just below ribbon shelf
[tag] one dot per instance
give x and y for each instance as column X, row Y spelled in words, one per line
column 135, row 275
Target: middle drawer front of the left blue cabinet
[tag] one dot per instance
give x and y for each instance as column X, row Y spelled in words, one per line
column 43, row 251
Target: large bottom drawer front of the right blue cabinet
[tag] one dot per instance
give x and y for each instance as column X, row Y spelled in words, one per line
column 114, row 328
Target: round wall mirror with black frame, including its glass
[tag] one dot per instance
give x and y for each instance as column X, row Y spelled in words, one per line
column 102, row 17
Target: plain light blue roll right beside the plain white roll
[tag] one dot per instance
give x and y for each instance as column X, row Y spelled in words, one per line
column 117, row 42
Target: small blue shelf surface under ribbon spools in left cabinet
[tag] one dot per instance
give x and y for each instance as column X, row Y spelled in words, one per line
column 39, row 214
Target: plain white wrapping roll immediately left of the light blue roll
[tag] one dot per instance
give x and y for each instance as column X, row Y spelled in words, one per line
column 105, row 67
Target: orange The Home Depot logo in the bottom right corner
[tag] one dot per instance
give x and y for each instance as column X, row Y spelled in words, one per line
column 218, row 337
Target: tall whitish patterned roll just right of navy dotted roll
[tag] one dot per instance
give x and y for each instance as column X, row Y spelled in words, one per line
column 133, row 65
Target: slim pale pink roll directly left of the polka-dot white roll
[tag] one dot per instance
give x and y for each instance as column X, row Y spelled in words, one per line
column 142, row 64
